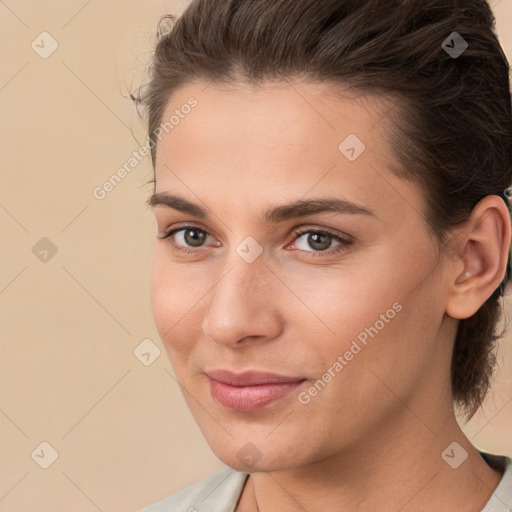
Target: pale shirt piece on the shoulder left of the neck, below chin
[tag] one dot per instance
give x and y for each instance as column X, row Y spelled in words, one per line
column 221, row 489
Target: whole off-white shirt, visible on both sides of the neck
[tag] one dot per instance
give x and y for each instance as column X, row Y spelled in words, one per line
column 221, row 491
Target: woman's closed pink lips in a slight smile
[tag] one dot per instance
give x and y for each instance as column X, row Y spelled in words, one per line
column 250, row 390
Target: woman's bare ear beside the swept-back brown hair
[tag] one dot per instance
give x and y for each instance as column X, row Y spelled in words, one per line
column 483, row 249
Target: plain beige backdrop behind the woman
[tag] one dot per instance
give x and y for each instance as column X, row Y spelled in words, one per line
column 69, row 325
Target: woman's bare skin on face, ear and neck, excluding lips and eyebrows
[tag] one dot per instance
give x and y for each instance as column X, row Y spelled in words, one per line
column 372, row 438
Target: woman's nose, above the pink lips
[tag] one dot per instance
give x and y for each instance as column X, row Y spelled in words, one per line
column 243, row 305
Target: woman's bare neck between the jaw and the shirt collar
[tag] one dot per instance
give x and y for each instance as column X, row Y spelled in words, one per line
column 397, row 468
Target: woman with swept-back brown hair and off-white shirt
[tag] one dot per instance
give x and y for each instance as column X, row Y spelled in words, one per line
column 331, row 246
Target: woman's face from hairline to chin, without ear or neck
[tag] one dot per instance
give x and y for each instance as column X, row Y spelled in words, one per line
column 294, row 251
